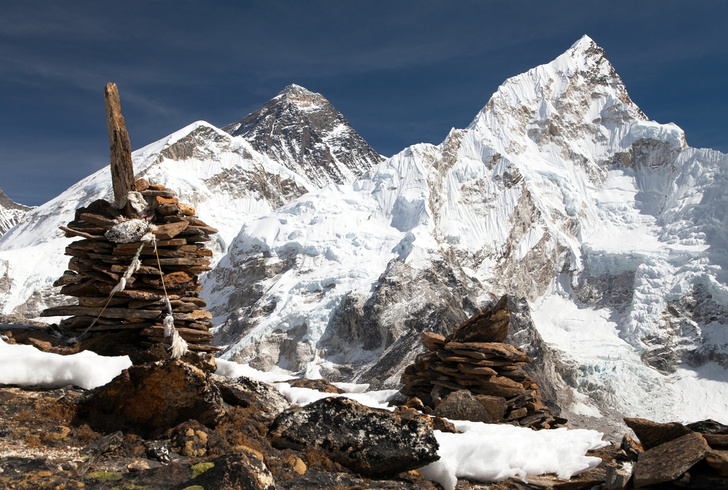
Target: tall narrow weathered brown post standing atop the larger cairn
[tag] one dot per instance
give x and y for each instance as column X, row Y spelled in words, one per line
column 122, row 170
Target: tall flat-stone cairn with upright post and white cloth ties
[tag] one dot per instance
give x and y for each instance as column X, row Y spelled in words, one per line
column 137, row 263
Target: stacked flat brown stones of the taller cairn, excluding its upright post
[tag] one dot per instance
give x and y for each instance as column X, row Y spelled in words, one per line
column 98, row 264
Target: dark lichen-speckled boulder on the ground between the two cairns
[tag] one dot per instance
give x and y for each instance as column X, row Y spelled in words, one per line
column 369, row 441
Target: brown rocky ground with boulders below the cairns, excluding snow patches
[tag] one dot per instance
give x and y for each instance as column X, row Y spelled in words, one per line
column 175, row 424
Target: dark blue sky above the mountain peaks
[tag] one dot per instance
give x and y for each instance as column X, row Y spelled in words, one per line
column 400, row 72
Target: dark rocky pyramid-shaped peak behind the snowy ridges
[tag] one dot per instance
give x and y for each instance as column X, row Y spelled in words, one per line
column 302, row 130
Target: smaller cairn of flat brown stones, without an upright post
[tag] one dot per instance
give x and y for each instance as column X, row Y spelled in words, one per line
column 474, row 359
